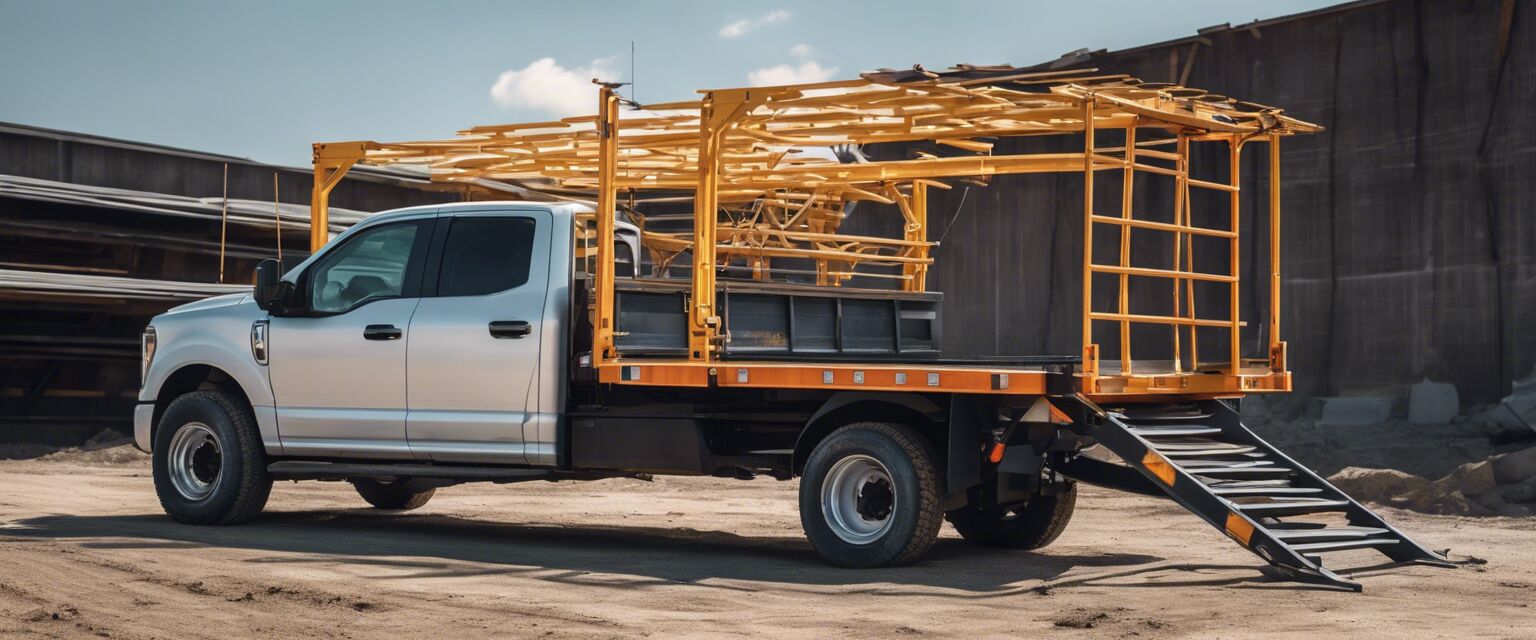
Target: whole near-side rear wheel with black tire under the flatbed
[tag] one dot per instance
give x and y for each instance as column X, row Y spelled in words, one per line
column 889, row 512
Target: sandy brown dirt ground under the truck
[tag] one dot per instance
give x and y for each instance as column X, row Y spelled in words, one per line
column 87, row 552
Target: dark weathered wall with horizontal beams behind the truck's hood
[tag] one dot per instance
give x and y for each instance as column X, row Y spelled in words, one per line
column 70, row 368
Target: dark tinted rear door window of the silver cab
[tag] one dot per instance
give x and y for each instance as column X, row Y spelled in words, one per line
column 486, row 256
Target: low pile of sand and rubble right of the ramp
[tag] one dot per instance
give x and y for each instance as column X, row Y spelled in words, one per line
column 1500, row 486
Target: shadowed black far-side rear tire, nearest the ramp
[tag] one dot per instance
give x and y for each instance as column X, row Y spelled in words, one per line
column 1033, row 526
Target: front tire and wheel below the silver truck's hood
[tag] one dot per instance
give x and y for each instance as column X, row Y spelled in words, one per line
column 210, row 464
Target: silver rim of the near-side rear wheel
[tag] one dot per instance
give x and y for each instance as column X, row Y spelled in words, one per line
column 859, row 500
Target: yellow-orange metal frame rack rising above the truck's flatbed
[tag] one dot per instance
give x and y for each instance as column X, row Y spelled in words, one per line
column 766, row 176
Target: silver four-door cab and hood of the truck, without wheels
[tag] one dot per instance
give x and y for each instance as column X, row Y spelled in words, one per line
column 429, row 334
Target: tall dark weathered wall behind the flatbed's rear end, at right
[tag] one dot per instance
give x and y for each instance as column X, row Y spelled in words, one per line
column 1409, row 226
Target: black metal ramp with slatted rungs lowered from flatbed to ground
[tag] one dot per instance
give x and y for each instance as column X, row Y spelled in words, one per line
column 1202, row 457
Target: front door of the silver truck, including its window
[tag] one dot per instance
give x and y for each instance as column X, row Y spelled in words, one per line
column 339, row 371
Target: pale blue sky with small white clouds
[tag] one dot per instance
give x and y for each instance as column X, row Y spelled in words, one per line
column 266, row 79
